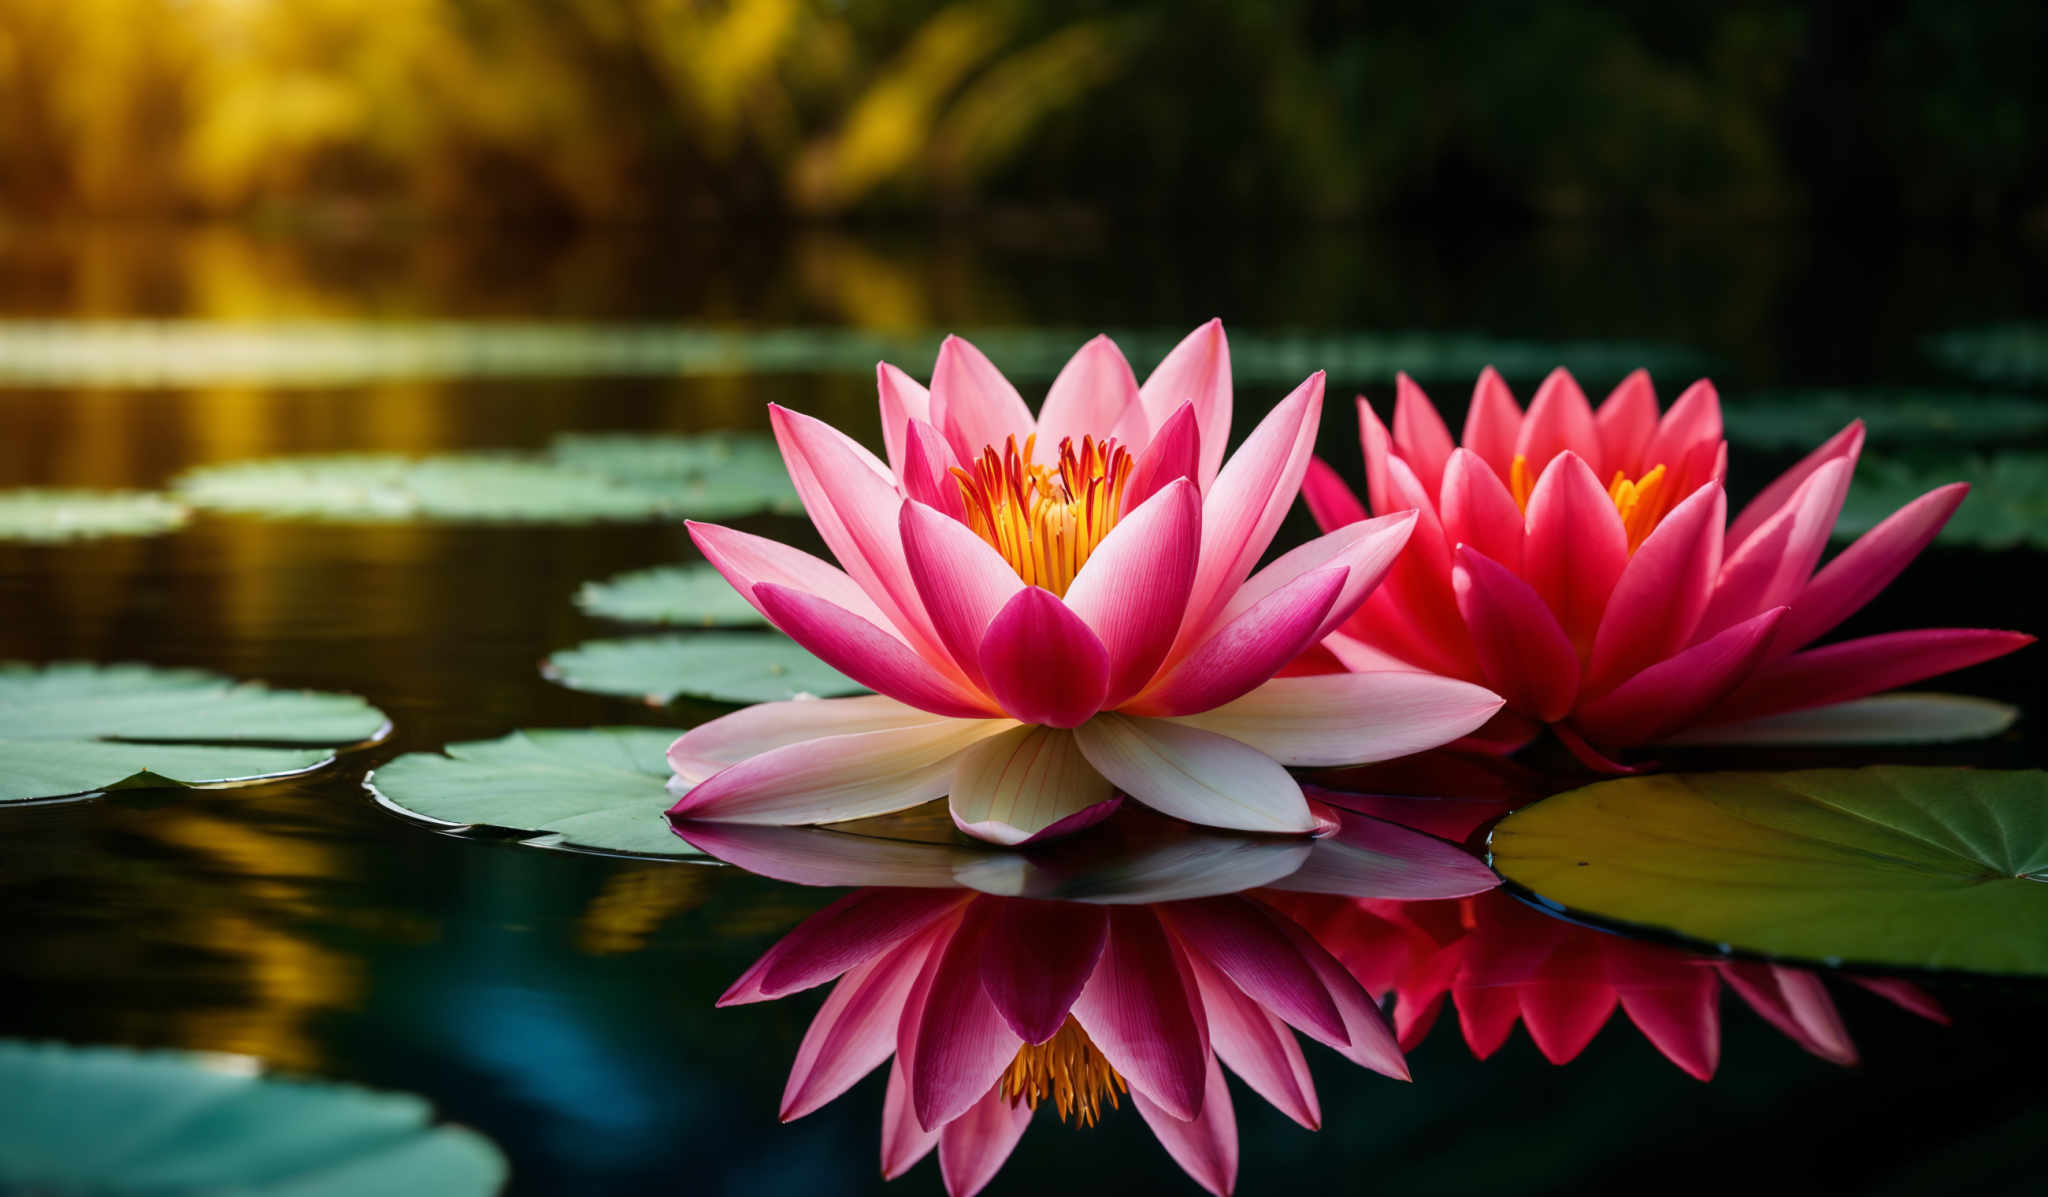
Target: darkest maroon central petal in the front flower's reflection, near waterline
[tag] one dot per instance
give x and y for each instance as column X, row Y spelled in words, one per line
column 1037, row 960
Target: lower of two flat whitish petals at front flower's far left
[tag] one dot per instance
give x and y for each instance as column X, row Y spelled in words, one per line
column 839, row 778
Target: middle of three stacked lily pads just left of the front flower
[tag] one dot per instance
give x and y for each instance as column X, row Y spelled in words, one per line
column 728, row 667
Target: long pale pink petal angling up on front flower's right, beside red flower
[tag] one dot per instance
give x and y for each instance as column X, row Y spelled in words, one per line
column 1248, row 501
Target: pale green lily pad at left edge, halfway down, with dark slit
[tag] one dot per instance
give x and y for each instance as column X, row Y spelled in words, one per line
column 79, row 729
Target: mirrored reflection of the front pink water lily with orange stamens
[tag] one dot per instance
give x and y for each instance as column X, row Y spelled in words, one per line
column 996, row 1007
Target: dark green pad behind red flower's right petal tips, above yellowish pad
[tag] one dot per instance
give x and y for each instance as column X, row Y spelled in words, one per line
column 2008, row 499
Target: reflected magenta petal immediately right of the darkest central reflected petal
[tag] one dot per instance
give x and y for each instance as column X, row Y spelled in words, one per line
column 1144, row 1018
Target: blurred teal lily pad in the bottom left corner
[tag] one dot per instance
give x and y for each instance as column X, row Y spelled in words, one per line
column 108, row 1120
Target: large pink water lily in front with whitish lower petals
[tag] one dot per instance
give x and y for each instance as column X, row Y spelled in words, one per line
column 1062, row 608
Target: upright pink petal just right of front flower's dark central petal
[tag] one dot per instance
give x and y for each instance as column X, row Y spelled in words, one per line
column 1134, row 589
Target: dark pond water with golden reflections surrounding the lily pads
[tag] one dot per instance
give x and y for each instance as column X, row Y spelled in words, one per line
column 562, row 1003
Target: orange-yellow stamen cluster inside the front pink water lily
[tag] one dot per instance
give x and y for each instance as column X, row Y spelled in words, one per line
column 1046, row 520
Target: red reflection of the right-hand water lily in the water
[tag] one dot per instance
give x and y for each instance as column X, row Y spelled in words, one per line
column 1502, row 962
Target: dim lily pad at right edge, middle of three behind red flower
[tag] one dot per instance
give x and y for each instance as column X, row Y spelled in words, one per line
column 1895, row 419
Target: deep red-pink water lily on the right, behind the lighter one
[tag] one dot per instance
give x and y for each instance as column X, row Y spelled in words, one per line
column 1584, row 567
